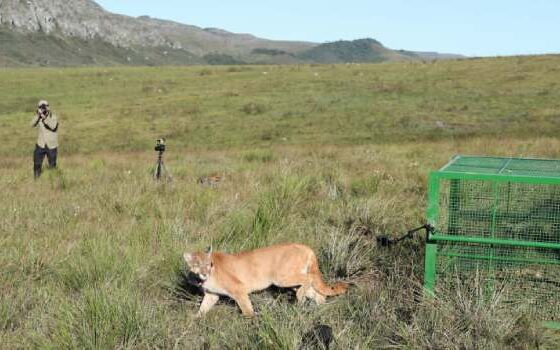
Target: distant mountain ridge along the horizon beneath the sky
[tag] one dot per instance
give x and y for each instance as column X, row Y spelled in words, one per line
column 80, row 32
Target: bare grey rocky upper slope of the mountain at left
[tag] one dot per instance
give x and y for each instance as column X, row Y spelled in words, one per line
column 84, row 19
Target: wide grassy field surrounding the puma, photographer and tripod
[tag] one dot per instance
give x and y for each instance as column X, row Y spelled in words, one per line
column 324, row 155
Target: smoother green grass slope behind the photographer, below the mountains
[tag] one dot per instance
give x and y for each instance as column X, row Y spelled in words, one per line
column 125, row 109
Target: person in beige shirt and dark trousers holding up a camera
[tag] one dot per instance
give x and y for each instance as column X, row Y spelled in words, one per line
column 47, row 140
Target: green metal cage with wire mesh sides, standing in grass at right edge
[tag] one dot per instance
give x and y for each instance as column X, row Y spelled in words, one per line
column 497, row 221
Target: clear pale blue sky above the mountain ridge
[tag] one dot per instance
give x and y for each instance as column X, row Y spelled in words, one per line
column 467, row 27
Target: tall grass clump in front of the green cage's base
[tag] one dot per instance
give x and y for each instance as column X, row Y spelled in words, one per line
column 469, row 316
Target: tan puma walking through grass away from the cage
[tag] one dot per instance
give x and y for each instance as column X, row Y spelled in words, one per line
column 237, row 275
